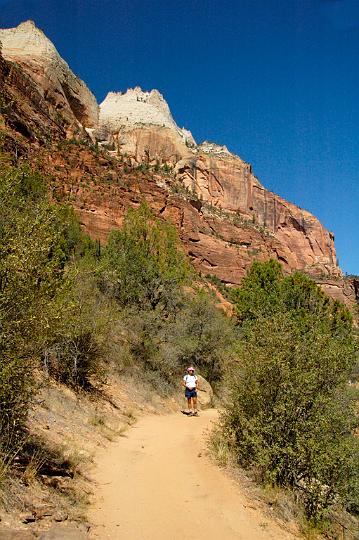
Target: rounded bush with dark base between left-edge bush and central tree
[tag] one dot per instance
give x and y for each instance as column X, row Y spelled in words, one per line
column 75, row 347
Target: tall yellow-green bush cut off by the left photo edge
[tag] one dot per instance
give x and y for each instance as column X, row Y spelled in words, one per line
column 32, row 256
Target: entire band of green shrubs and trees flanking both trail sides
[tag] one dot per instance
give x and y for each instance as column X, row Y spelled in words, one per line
column 72, row 309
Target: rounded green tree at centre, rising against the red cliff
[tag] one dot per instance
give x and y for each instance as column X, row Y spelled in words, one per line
column 144, row 264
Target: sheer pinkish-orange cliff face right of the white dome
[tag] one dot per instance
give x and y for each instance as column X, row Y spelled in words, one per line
column 225, row 183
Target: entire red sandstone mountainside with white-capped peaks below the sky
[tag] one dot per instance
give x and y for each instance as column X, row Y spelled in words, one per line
column 225, row 217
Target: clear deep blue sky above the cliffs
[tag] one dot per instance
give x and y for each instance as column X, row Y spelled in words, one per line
column 277, row 81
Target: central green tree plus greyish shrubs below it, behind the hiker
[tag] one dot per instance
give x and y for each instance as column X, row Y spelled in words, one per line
column 163, row 327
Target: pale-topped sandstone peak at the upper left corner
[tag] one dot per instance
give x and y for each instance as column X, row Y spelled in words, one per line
column 69, row 97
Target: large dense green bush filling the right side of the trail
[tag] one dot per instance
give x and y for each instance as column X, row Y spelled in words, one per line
column 291, row 414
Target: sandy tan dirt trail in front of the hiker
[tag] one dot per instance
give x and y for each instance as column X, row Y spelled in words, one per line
column 157, row 483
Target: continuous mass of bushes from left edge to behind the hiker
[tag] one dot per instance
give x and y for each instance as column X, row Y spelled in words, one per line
column 69, row 310
